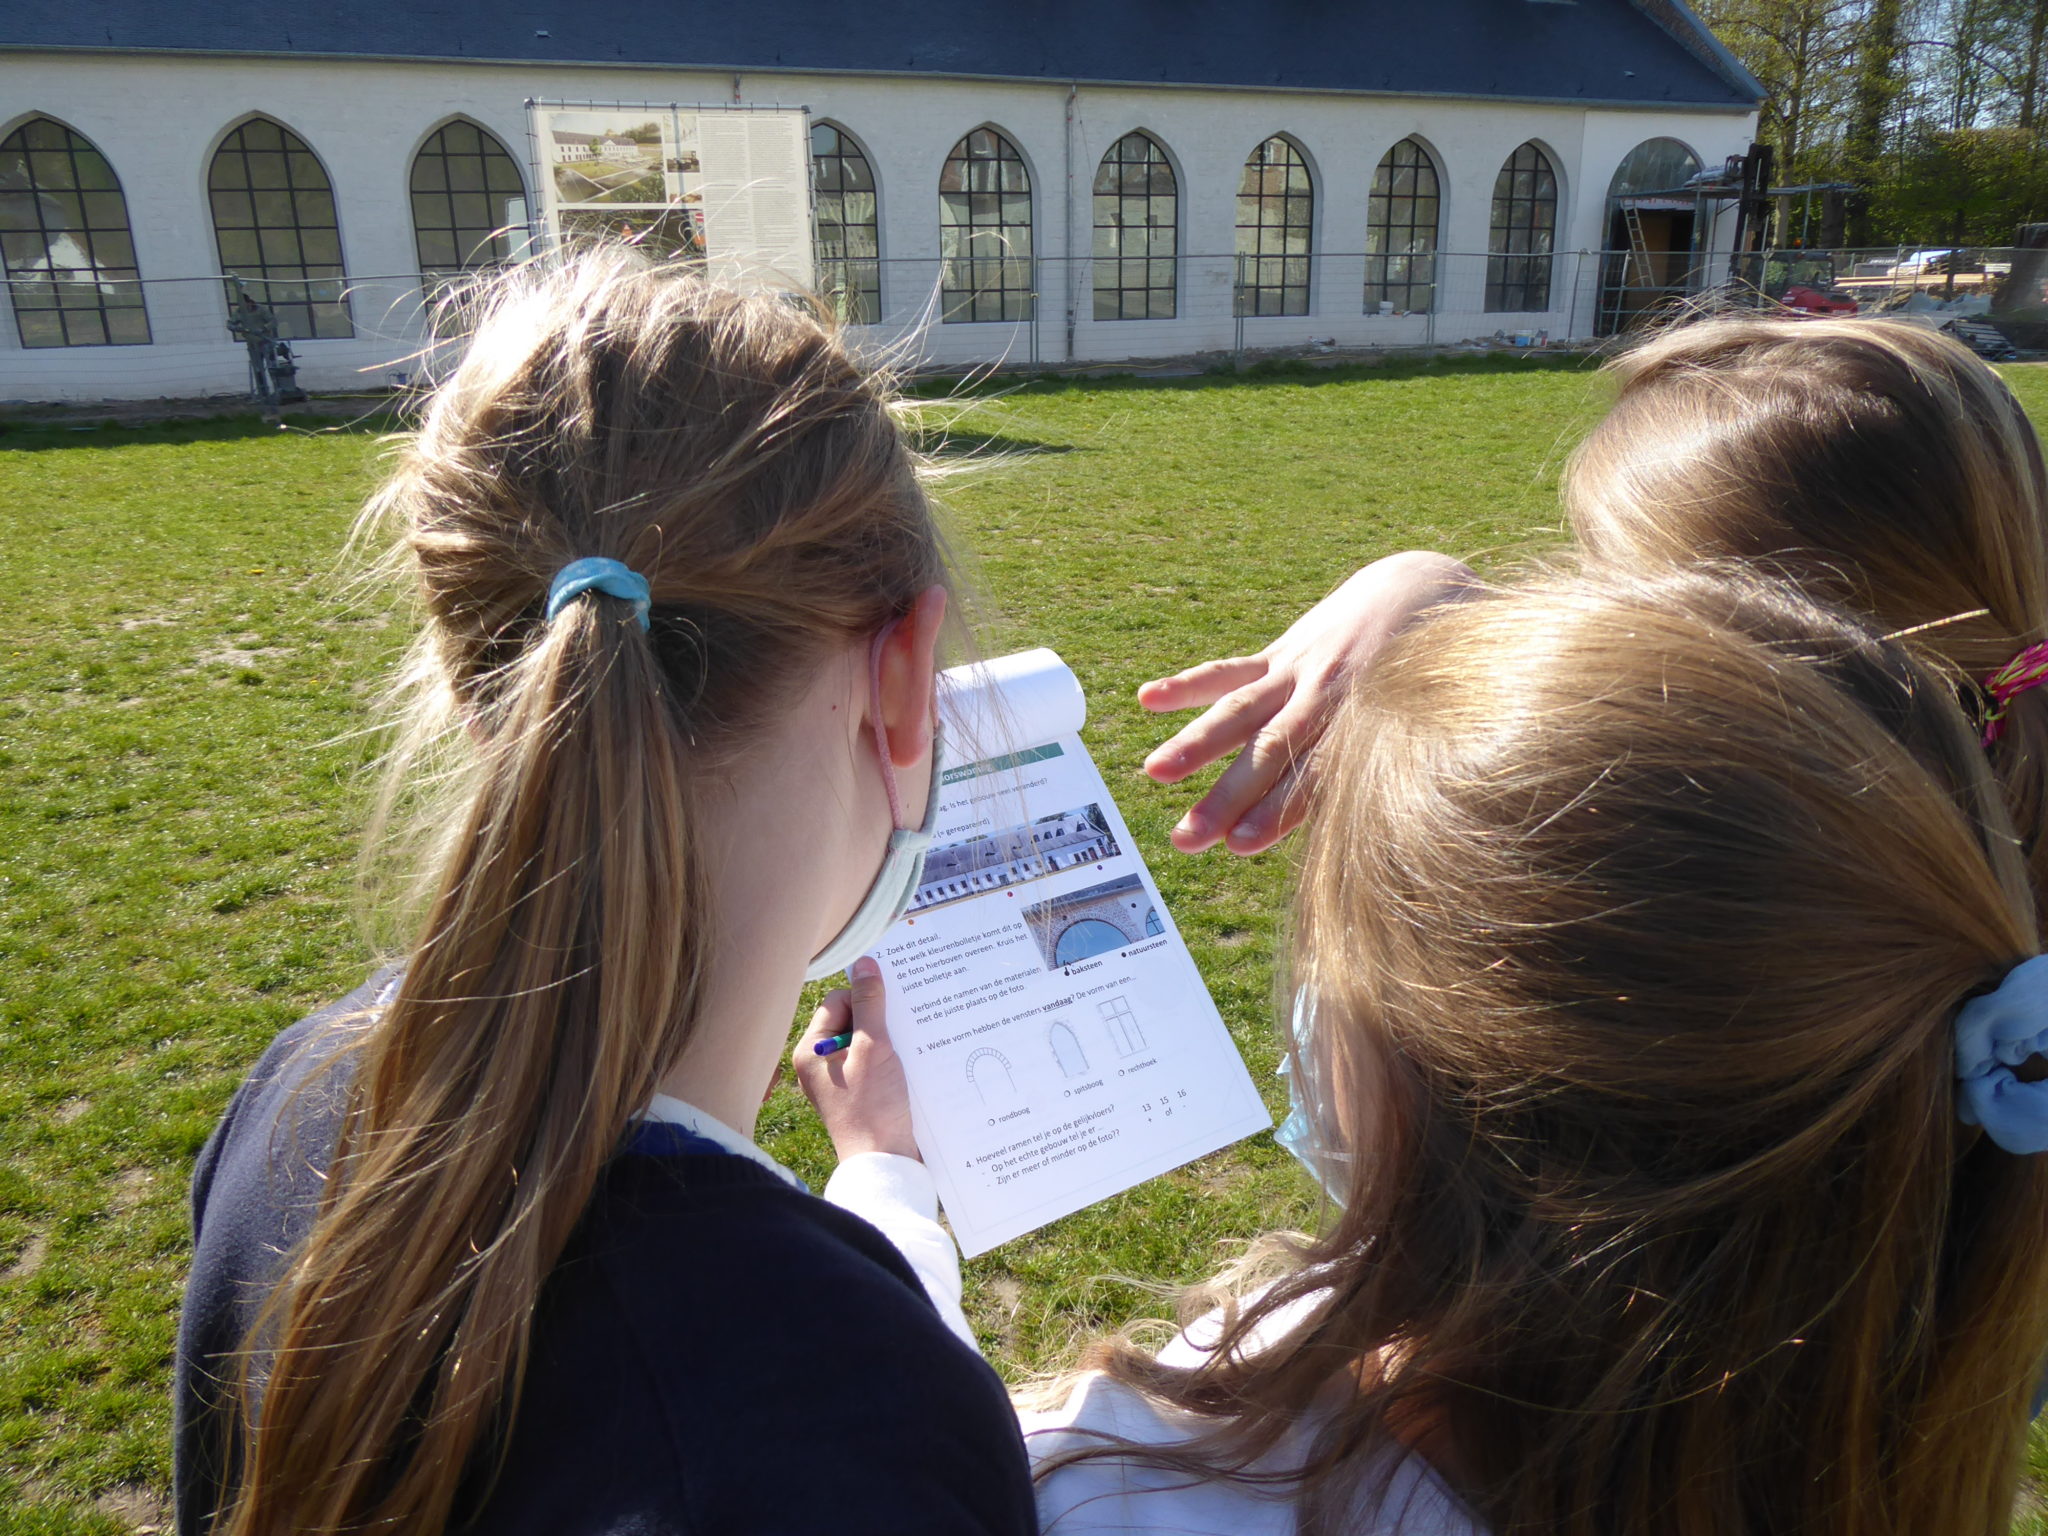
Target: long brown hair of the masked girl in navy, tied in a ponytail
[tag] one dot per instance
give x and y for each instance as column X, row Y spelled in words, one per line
column 732, row 454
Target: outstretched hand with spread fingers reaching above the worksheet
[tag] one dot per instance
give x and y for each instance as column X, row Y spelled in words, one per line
column 1273, row 708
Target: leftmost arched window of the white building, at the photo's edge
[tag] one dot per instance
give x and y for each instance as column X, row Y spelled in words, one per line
column 67, row 245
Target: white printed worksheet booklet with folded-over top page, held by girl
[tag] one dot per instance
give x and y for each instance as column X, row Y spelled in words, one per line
column 1058, row 1039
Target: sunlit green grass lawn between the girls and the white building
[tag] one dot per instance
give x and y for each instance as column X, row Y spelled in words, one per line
column 181, row 742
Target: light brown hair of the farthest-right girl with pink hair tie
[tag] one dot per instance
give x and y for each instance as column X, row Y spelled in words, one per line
column 1877, row 464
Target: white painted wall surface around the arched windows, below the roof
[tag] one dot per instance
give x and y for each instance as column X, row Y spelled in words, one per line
column 159, row 122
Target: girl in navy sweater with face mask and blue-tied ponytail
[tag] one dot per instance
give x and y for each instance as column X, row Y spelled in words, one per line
column 488, row 1246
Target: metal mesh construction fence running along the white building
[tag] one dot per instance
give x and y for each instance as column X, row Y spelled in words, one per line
column 85, row 337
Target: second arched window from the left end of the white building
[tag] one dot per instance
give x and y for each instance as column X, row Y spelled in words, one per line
column 273, row 218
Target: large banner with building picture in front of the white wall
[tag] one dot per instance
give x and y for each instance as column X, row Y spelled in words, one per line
column 730, row 187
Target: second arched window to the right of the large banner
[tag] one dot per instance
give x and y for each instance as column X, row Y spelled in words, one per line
column 984, row 230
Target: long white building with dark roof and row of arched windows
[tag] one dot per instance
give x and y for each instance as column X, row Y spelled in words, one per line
column 988, row 198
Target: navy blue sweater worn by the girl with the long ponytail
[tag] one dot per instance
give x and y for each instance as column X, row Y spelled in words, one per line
column 716, row 1351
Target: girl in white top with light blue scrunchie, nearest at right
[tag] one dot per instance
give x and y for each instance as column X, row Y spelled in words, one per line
column 1670, row 1054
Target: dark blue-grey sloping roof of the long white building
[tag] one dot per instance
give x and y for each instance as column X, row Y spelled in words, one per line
column 1533, row 50
